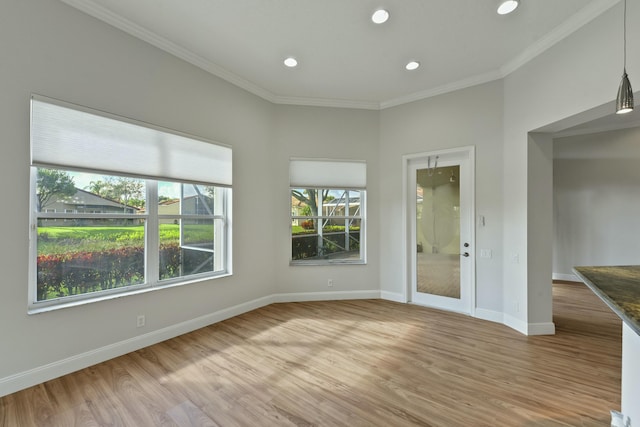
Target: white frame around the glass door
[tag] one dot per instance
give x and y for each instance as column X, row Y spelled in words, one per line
column 407, row 229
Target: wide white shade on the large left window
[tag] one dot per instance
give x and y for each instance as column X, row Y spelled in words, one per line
column 67, row 136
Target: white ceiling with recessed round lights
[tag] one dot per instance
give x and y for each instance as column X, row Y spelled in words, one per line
column 345, row 59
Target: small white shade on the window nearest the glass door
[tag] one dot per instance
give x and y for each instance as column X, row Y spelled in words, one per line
column 308, row 173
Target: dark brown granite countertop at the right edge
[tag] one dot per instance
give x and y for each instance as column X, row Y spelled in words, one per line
column 618, row 287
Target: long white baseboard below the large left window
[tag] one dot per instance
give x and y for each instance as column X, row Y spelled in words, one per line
column 40, row 374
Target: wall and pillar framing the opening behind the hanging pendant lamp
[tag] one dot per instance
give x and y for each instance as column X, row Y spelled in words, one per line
column 578, row 74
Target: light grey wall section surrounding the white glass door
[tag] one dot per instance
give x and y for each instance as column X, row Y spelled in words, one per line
column 471, row 116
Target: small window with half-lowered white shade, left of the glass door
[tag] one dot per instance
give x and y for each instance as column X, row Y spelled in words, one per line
column 328, row 205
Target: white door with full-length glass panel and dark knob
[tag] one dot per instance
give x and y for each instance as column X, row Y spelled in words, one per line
column 441, row 231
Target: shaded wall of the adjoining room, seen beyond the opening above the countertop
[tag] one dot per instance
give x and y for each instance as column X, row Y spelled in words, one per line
column 596, row 200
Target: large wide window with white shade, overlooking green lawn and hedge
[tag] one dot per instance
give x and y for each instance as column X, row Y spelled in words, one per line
column 118, row 207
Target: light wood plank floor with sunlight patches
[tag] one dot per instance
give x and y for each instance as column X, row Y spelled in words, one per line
column 350, row 363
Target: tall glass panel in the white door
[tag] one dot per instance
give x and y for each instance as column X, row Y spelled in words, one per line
column 438, row 231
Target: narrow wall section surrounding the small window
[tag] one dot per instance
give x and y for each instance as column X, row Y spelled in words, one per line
column 334, row 133
